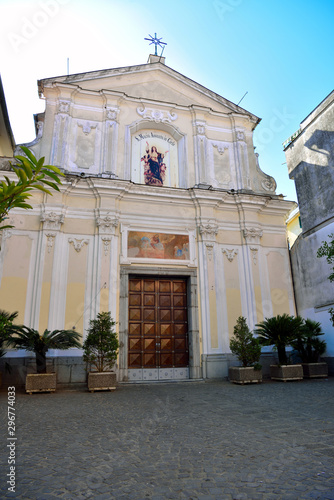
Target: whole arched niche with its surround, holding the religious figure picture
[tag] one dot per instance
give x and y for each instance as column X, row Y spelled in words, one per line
column 168, row 141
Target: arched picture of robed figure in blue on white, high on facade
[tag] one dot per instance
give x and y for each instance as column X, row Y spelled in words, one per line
column 154, row 159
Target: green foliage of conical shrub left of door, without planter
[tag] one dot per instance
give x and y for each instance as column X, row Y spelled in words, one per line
column 101, row 344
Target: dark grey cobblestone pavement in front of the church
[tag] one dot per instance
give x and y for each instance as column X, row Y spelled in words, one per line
column 188, row 440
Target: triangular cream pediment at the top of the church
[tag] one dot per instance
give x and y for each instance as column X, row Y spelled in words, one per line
column 155, row 82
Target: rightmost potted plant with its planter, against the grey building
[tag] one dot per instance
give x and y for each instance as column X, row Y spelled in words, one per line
column 309, row 349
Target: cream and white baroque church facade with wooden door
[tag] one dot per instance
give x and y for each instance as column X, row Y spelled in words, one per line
column 164, row 218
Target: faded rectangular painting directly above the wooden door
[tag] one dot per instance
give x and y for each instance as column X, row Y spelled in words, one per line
column 158, row 246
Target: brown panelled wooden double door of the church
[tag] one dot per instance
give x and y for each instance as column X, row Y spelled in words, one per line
column 158, row 326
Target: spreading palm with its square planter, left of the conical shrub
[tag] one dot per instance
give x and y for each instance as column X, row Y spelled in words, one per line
column 29, row 339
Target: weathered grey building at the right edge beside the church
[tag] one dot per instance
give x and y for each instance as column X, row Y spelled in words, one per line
column 310, row 159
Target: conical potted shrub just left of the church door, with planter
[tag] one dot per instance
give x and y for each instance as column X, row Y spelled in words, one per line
column 100, row 352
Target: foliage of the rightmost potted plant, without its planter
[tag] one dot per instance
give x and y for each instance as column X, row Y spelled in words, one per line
column 307, row 344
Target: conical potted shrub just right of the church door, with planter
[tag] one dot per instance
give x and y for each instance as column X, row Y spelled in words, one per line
column 248, row 350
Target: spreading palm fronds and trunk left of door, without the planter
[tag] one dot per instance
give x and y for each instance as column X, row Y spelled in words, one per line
column 31, row 340
